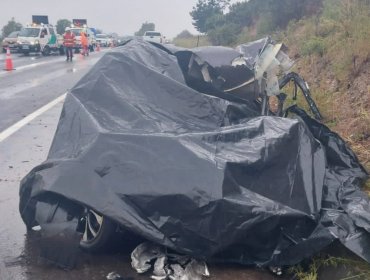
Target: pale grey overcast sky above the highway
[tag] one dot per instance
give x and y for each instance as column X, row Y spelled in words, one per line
column 121, row 16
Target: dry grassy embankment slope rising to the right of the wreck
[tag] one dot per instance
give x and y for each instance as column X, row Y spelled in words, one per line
column 332, row 50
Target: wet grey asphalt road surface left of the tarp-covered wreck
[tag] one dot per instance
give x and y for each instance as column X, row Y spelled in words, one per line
column 29, row 113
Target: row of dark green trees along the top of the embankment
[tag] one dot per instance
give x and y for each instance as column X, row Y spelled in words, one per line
column 223, row 22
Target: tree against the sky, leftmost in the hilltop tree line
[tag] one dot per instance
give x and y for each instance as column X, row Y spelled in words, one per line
column 205, row 9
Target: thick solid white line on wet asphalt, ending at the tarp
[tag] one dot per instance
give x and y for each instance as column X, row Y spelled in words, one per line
column 18, row 125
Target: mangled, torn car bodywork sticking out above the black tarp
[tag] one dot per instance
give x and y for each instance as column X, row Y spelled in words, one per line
column 246, row 74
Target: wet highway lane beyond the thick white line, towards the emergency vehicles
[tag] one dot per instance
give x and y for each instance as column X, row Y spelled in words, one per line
column 27, row 89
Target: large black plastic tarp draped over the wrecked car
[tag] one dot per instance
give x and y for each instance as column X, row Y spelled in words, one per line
column 202, row 175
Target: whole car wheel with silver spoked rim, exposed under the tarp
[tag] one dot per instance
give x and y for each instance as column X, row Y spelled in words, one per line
column 98, row 232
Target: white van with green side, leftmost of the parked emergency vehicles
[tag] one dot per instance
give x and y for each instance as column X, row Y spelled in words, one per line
column 40, row 38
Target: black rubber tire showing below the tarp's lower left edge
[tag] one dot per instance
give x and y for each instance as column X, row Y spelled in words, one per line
column 102, row 240
